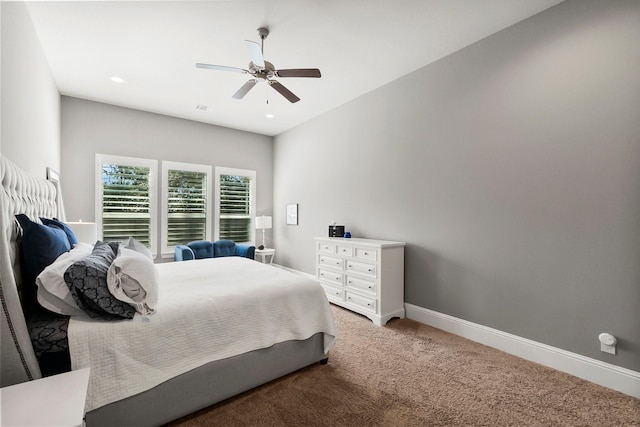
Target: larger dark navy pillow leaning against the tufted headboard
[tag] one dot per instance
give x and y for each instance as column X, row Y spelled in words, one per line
column 41, row 245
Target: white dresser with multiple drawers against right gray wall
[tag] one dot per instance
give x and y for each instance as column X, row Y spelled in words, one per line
column 363, row 275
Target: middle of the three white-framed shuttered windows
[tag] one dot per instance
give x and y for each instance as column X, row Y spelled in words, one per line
column 186, row 204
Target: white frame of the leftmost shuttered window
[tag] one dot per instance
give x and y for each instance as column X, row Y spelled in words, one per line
column 153, row 197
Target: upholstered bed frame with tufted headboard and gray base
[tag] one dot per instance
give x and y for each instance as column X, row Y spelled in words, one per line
column 177, row 397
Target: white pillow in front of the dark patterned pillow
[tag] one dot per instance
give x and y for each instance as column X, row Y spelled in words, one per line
column 132, row 278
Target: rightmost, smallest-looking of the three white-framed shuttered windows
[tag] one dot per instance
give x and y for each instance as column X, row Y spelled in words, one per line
column 235, row 204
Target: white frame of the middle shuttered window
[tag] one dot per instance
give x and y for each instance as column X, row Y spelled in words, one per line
column 167, row 165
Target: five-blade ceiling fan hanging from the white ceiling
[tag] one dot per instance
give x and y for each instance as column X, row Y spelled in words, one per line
column 260, row 69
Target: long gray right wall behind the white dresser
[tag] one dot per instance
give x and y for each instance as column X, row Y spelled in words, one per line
column 511, row 169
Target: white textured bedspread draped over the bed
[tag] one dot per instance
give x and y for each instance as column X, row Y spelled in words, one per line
column 207, row 310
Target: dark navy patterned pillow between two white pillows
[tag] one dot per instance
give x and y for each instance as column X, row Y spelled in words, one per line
column 87, row 281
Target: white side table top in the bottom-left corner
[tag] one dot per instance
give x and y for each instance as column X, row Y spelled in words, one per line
column 52, row 401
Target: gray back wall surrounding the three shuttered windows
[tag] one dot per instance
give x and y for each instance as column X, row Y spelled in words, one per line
column 91, row 127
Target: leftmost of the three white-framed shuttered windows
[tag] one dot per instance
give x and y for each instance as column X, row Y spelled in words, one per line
column 126, row 199
